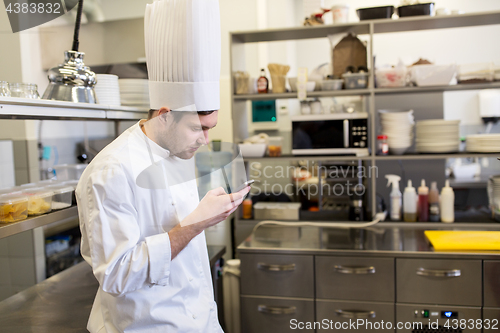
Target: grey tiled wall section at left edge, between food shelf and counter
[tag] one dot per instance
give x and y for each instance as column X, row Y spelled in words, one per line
column 22, row 262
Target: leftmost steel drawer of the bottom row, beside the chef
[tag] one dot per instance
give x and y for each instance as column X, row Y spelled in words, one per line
column 275, row 315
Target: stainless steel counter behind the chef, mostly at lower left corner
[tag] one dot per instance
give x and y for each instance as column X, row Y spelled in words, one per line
column 61, row 303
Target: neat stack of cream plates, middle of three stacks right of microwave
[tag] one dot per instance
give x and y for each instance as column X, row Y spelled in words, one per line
column 438, row 136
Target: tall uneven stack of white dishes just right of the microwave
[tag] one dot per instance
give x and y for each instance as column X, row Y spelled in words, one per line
column 398, row 126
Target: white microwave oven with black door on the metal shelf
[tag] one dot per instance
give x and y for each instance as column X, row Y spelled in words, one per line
column 330, row 134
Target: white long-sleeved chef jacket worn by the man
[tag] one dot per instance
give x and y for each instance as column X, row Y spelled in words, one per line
column 124, row 225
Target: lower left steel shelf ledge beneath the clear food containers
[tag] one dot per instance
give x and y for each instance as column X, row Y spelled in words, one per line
column 9, row 229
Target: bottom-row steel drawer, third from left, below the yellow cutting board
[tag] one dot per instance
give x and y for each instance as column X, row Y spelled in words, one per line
column 436, row 322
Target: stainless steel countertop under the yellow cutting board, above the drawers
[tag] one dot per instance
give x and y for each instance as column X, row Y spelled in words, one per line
column 373, row 241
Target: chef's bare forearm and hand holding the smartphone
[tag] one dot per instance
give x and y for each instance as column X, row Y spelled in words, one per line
column 215, row 207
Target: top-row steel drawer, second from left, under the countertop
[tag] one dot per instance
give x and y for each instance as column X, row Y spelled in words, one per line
column 350, row 278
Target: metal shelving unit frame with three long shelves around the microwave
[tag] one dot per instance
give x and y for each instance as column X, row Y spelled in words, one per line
column 371, row 27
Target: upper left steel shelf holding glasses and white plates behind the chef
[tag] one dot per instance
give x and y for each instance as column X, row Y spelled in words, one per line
column 22, row 108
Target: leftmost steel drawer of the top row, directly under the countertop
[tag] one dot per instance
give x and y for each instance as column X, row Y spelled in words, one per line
column 277, row 275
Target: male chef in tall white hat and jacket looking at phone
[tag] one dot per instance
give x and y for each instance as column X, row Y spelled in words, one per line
column 141, row 220
